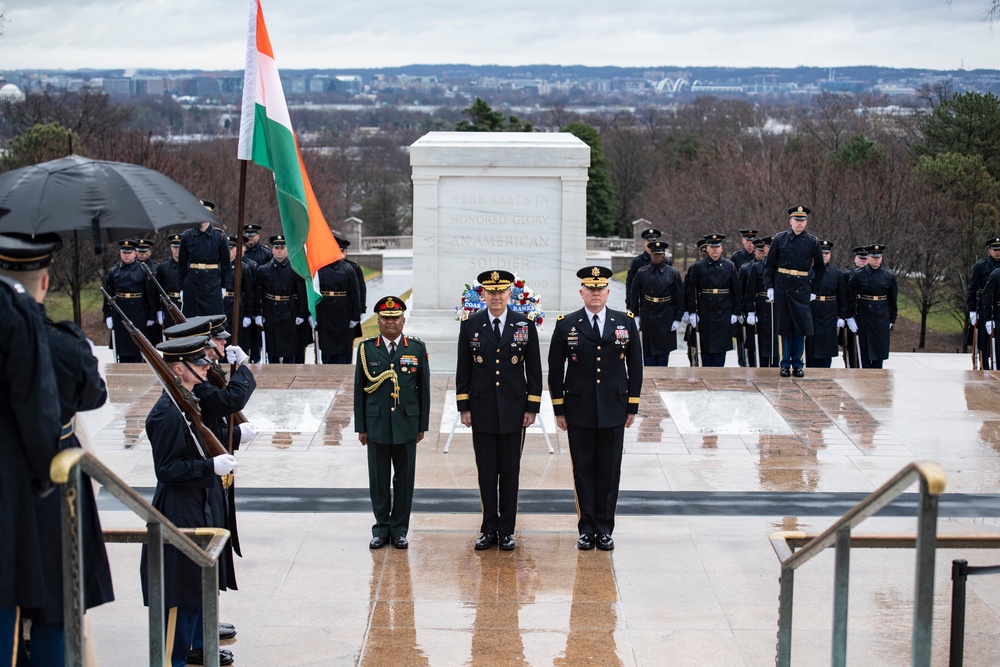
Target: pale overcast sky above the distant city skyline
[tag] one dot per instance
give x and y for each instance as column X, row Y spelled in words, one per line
column 211, row 34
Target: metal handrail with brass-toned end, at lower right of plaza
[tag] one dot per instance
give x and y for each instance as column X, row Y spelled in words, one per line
column 932, row 481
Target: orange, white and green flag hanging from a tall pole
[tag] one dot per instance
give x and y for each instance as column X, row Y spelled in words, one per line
column 267, row 138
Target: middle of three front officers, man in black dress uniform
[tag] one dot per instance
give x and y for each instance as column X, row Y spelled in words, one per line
column 498, row 388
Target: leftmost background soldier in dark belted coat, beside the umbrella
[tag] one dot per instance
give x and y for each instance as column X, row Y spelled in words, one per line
column 127, row 282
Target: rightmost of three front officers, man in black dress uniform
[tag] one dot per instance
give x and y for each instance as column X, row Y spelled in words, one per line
column 595, row 378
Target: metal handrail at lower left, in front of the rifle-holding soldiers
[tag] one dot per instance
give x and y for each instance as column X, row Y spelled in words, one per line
column 65, row 470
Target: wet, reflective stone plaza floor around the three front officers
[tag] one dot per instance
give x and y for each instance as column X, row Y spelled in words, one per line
column 717, row 460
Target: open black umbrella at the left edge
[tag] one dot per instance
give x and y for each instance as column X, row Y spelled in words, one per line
column 97, row 199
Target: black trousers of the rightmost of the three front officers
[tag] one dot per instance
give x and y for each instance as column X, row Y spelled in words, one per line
column 597, row 471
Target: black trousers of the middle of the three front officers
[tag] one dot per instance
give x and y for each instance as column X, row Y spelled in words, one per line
column 498, row 460
